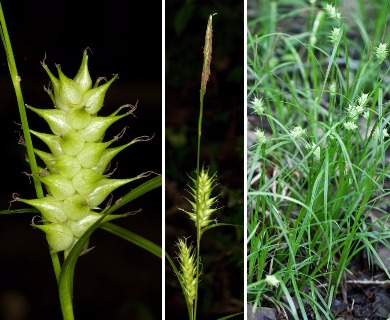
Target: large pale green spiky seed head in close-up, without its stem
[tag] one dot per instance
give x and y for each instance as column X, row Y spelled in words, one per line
column 74, row 167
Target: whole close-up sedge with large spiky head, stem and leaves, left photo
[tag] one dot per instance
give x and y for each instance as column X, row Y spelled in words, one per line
column 72, row 181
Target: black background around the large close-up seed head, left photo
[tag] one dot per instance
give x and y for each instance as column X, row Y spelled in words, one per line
column 117, row 280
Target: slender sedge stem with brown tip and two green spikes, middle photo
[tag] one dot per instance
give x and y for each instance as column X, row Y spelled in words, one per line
column 202, row 203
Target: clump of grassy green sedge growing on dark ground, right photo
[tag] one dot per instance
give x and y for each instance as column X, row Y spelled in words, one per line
column 318, row 166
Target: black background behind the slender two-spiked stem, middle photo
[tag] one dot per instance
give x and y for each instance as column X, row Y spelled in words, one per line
column 222, row 280
